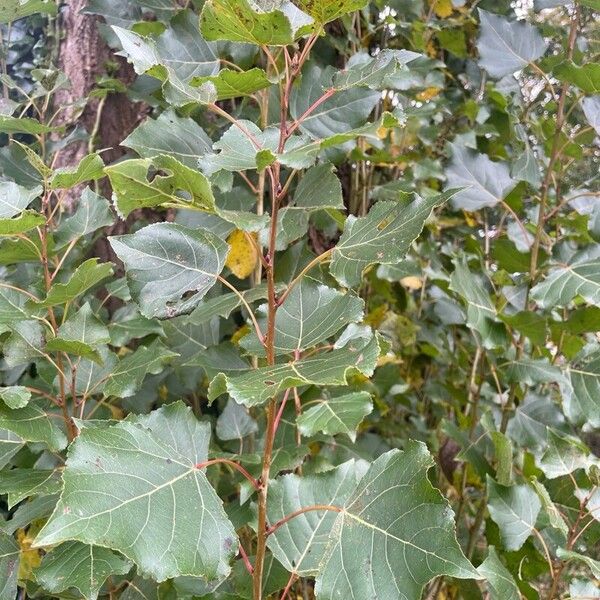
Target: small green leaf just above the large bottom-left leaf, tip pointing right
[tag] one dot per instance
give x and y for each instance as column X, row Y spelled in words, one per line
column 127, row 376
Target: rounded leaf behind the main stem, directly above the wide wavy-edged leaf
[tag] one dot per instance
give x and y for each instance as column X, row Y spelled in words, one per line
column 310, row 314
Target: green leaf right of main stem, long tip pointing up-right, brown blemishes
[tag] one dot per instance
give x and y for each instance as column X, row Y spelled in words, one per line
column 384, row 236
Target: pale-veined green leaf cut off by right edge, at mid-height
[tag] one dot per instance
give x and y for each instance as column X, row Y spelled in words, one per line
column 581, row 277
